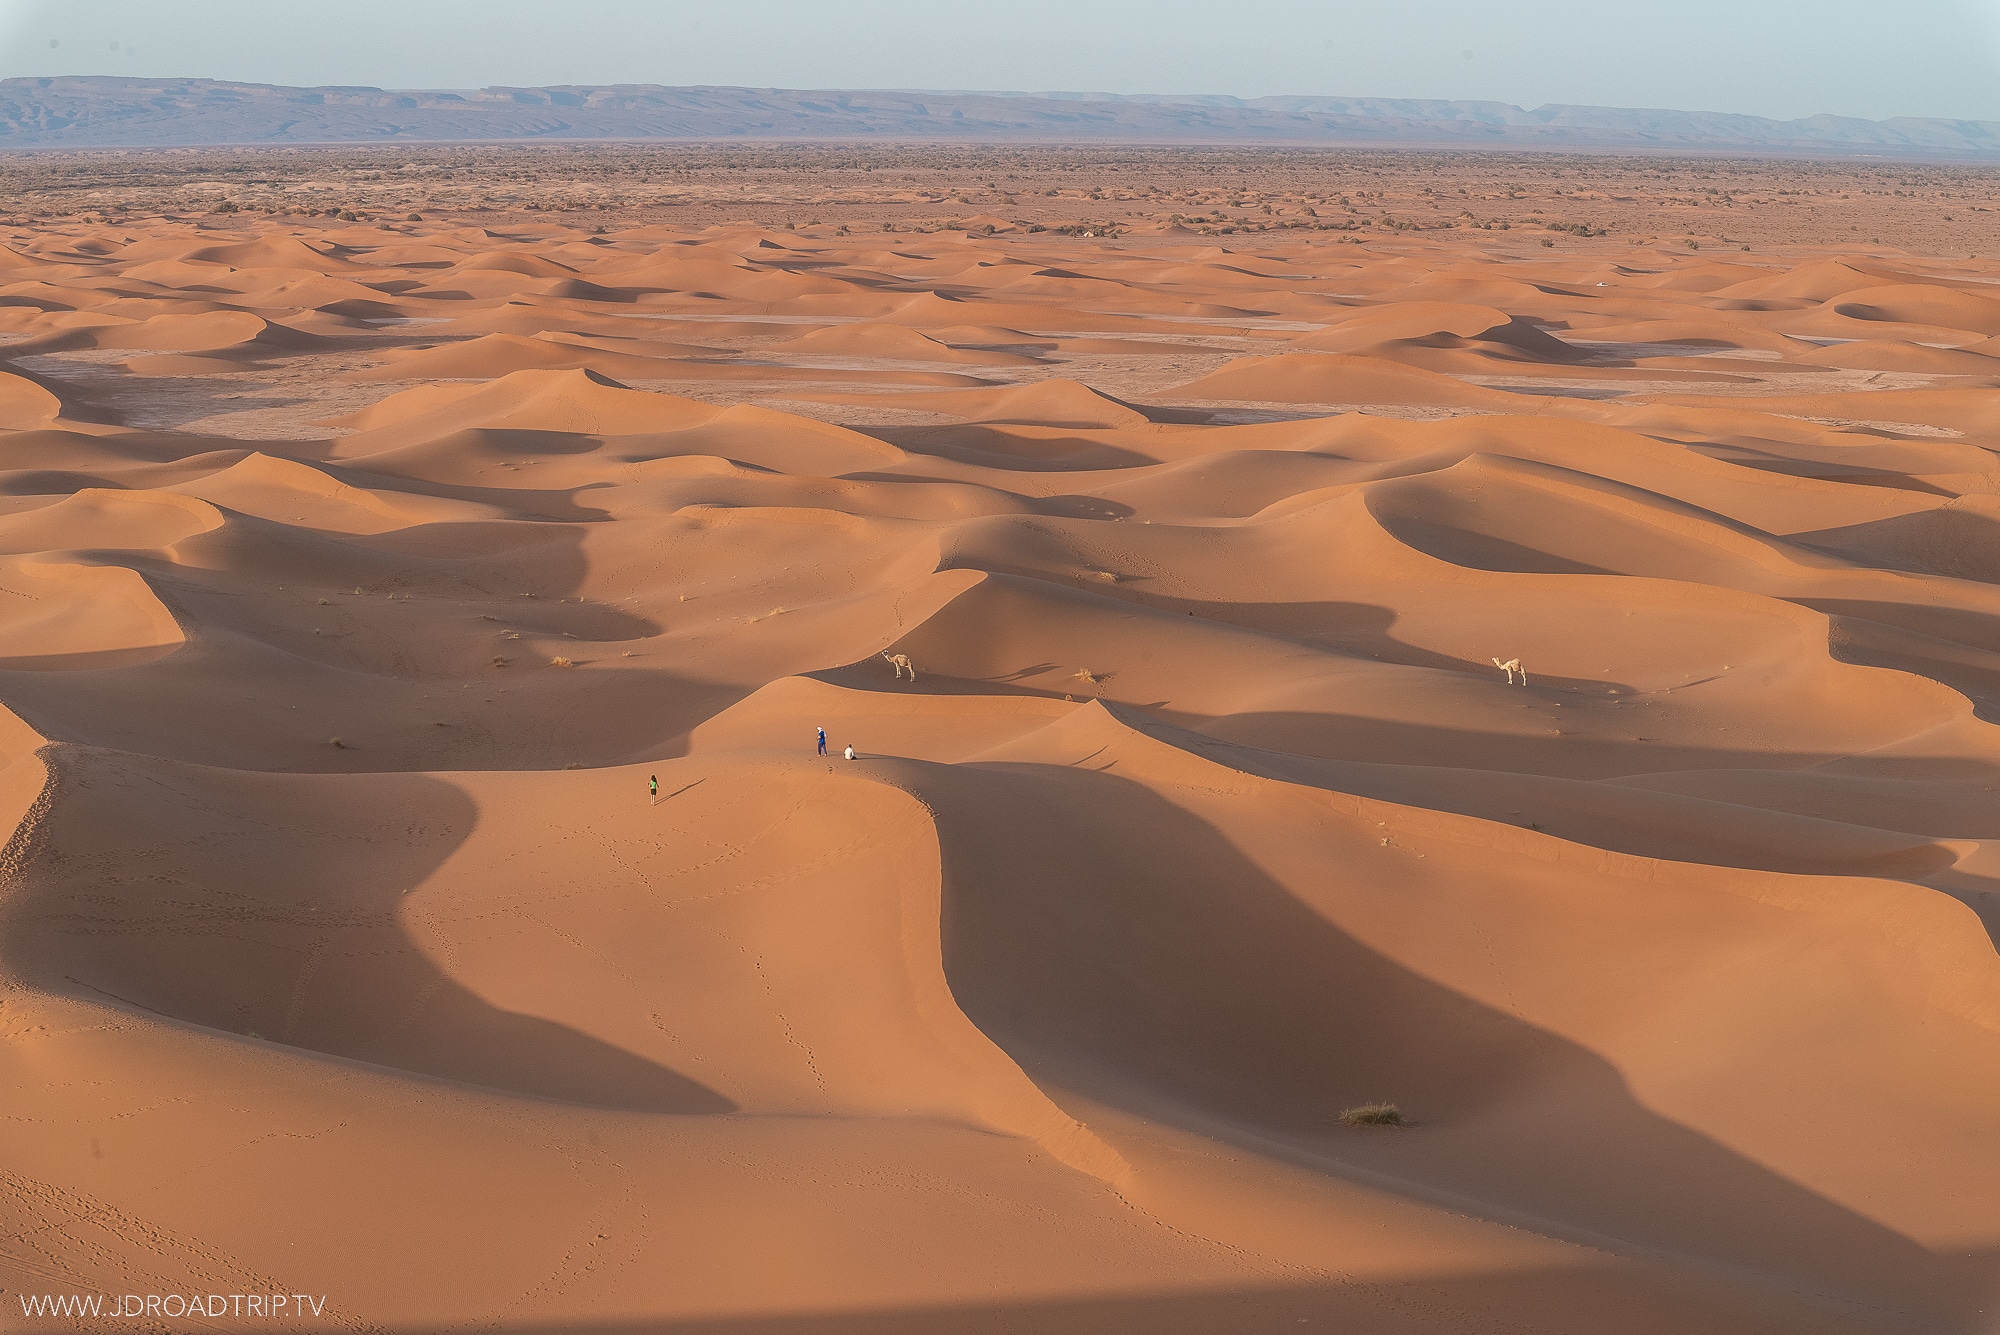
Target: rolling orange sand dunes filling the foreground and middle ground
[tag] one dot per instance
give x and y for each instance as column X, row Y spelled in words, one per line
column 1547, row 688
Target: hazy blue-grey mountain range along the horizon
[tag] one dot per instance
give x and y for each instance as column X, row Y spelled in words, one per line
column 157, row 113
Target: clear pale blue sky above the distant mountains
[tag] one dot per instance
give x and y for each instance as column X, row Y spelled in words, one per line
column 1783, row 59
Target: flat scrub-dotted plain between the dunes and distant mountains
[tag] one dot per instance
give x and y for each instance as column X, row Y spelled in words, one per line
column 1217, row 191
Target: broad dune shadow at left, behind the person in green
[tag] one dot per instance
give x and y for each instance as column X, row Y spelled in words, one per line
column 375, row 667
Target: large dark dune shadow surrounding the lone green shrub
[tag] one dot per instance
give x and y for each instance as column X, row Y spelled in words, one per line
column 1131, row 952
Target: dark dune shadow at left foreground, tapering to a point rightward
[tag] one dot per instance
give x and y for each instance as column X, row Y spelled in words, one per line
column 275, row 910
